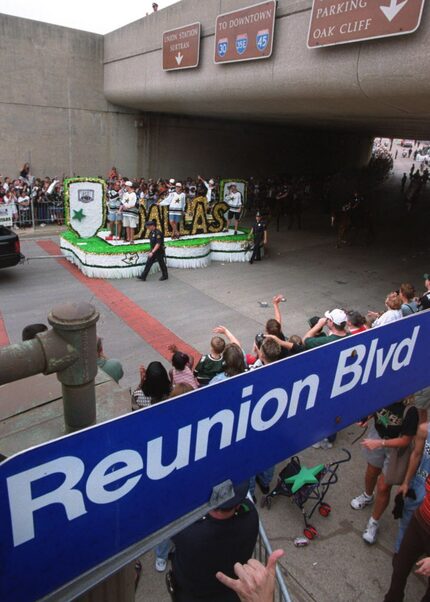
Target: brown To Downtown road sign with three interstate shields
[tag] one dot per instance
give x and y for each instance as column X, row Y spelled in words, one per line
column 245, row 34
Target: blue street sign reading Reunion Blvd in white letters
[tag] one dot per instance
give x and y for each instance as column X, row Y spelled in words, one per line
column 69, row 505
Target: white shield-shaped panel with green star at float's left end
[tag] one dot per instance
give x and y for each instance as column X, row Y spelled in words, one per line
column 86, row 211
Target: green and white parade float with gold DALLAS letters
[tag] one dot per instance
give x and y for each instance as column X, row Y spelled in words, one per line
column 202, row 237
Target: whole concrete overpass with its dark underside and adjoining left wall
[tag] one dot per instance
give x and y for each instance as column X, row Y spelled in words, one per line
column 77, row 102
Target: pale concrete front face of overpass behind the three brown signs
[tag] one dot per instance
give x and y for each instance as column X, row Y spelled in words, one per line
column 375, row 87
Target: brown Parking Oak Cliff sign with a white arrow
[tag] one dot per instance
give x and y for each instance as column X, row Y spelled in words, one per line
column 343, row 21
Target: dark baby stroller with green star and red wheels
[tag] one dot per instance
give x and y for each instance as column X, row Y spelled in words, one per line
column 288, row 485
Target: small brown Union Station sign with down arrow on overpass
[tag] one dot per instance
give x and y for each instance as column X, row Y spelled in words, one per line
column 181, row 47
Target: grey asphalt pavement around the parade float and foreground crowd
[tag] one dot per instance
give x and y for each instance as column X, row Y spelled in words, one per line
column 314, row 276
